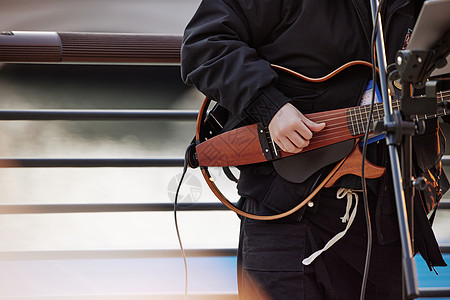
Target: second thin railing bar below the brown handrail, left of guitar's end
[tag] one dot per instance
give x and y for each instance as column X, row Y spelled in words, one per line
column 90, row 162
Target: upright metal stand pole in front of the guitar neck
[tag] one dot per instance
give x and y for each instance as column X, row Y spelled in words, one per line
column 398, row 133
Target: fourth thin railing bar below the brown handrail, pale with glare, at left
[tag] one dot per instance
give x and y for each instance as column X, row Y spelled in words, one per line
column 113, row 254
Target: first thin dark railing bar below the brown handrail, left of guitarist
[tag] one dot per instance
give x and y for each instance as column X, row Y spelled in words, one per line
column 96, row 115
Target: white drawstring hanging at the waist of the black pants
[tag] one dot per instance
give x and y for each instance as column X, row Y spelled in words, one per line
column 347, row 218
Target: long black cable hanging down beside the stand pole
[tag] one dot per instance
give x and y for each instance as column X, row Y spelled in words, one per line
column 364, row 151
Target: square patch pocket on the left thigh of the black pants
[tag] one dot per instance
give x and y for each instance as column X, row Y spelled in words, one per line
column 271, row 246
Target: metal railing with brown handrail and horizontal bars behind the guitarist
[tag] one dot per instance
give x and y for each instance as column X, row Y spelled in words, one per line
column 92, row 48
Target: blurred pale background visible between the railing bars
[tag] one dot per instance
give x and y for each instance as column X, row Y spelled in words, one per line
column 37, row 86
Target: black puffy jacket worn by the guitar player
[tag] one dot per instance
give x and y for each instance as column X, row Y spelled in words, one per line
column 227, row 52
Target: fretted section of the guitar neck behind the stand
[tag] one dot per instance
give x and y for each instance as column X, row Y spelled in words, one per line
column 357, row 117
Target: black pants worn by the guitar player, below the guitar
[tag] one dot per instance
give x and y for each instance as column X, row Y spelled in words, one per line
column 271, row 253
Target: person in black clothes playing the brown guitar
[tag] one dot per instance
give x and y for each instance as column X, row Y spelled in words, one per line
column 227, row 52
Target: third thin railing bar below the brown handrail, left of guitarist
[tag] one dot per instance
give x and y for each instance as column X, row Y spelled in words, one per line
column 106, row 207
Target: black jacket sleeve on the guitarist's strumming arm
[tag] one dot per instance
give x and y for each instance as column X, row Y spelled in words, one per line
column 219, row 56
